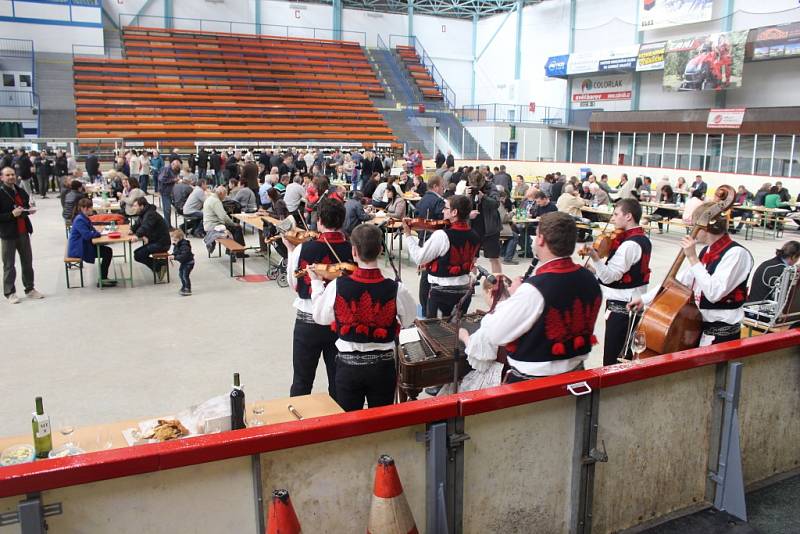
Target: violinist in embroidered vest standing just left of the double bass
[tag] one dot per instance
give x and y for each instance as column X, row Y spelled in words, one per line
column 623, row 275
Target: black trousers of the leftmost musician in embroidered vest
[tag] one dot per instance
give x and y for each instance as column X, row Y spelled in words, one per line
column 311, row 339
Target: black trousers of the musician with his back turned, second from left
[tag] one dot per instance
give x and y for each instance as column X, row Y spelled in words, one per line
column 374, row 382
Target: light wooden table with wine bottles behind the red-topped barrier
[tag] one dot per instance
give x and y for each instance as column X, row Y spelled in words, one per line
column 275, row 411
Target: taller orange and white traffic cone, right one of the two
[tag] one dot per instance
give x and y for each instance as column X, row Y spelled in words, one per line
column 389, row 513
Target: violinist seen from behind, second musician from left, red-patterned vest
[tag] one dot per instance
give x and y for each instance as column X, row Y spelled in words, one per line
column 365, row 335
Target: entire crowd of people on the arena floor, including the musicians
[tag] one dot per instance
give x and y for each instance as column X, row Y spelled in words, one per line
column 553, row 308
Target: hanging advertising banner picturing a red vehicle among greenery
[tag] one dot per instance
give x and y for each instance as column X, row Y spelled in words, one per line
column 709, row 63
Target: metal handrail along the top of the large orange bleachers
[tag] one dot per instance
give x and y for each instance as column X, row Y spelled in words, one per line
column 244, row 27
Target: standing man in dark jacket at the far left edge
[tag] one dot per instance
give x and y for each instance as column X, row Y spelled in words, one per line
column 15, row 230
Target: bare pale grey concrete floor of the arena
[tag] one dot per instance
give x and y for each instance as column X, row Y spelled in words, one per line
column 101, row 356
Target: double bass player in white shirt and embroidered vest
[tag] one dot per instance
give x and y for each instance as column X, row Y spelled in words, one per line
column 718, row 277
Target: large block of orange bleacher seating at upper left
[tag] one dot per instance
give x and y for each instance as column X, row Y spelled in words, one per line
column 180, row 86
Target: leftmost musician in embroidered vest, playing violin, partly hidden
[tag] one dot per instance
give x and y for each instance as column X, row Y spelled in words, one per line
column 310, row 338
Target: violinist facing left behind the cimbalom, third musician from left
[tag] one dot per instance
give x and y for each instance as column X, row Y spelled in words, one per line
column 448, row 257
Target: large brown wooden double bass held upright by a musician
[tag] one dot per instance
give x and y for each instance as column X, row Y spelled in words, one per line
column 673, row 322
